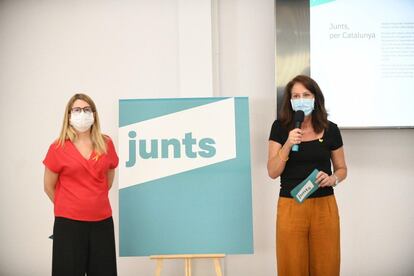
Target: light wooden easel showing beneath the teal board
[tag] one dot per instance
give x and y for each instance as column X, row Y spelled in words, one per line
column 187, row 261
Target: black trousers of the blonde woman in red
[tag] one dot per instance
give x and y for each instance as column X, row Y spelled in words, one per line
column 83, row 247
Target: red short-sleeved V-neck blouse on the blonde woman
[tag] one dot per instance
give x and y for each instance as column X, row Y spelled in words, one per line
column 82, row 186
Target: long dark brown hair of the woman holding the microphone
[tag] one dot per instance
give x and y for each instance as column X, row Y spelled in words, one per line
column 319, row 114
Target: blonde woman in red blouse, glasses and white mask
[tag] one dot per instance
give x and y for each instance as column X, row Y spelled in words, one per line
column 79, row 171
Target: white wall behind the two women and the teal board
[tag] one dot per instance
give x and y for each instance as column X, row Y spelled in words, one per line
column 131, row 49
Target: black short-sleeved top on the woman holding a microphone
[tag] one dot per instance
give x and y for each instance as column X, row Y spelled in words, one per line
column 315, row 154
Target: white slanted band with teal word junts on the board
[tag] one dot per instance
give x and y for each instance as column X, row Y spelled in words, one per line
column 178, row 142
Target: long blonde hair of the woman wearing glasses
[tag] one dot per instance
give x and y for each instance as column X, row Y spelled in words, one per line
column 69, row 133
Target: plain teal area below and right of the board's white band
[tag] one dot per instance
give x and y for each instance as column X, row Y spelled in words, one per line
column 205, row 210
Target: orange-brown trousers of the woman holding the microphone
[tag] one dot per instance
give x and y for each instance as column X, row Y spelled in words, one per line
column 307, row 237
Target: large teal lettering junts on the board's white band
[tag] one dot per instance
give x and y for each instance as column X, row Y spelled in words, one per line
column 169, row 148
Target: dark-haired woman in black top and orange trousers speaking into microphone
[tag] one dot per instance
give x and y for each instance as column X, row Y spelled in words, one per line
column 307, row 234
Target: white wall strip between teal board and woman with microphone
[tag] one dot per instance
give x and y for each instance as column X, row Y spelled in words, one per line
column 247, row 68
